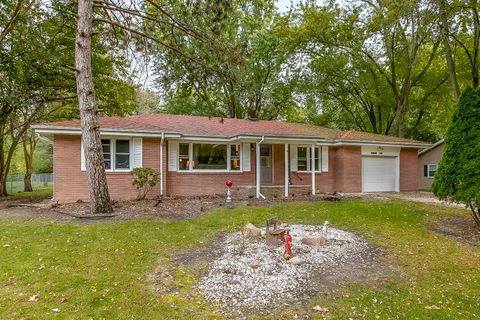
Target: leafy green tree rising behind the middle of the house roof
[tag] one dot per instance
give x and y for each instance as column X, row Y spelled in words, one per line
column 233, row 67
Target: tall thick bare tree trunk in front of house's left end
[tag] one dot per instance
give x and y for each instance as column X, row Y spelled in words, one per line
column 95, row 167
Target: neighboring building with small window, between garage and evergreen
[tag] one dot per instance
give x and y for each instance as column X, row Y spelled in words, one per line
column 428, row 161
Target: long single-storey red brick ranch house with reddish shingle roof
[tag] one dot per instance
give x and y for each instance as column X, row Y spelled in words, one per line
column 196, row 155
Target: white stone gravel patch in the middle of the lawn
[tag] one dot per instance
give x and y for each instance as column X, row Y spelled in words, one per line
column 232, row 282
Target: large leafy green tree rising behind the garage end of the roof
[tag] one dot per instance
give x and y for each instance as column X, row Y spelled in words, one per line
column 372, row 65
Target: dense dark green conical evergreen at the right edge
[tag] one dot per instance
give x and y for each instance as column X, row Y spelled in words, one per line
column 458, row 174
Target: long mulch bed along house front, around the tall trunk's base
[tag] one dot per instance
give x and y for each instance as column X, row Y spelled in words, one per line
column 173, row 208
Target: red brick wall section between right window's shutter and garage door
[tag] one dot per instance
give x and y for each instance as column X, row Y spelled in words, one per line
column 348, row 167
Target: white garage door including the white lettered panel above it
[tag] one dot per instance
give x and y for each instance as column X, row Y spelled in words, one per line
column 380, row 169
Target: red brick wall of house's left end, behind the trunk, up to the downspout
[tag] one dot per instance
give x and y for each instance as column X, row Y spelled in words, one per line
column 70, row 183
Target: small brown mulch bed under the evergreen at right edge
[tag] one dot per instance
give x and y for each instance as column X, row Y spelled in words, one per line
column 462, row 228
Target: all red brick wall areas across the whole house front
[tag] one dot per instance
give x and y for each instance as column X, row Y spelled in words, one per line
column 344, row 173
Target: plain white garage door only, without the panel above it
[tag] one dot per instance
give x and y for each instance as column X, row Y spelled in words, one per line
column 379, row 174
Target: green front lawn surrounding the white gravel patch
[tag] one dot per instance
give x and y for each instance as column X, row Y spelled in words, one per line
column 101, row 271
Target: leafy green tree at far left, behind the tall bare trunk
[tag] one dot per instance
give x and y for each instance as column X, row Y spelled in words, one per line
column 38, row 78
